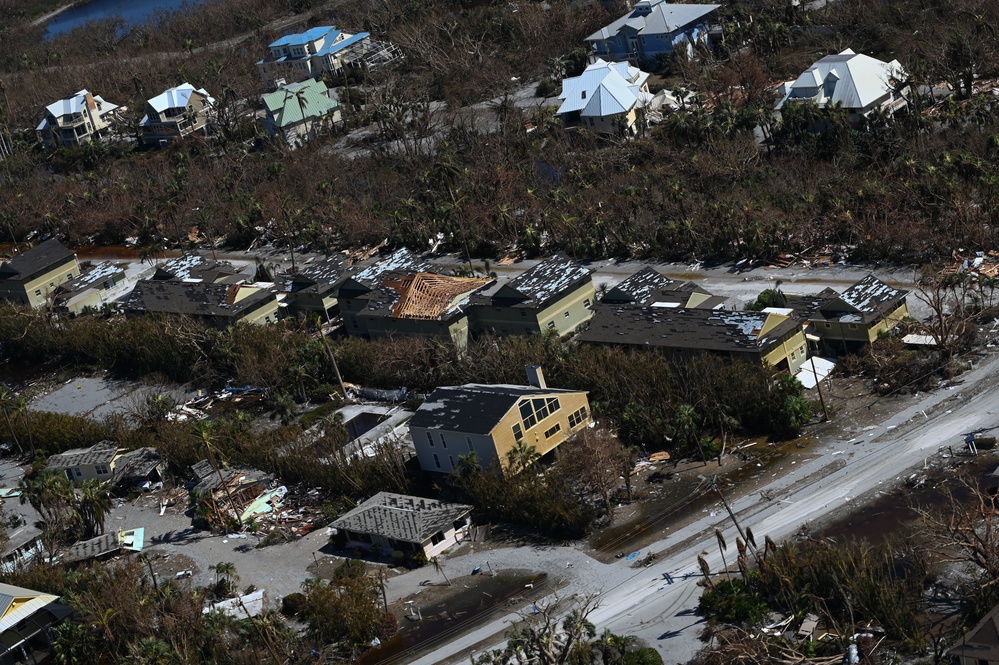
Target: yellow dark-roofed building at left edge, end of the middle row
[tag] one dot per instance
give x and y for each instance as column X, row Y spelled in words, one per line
column 32, row 277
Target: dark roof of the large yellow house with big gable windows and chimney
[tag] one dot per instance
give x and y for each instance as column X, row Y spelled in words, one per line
column 473, row 408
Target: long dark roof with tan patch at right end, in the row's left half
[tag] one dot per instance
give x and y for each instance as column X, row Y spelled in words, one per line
column 196, row 298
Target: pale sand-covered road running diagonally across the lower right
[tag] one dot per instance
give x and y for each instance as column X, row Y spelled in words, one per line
column 640, row 602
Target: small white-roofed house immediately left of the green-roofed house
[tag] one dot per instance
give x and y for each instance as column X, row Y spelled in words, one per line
column 175, row 113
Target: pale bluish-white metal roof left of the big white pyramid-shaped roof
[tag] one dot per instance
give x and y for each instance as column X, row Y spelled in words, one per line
column 603, row 89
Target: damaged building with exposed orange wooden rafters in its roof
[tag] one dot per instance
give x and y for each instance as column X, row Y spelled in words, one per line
column 402, row 295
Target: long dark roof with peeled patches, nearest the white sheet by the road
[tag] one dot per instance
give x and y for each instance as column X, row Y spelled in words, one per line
column 689, row 329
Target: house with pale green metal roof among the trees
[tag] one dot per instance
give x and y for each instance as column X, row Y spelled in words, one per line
column 298, row 111
